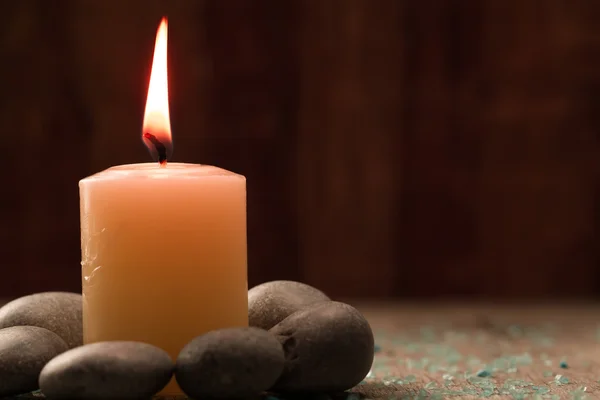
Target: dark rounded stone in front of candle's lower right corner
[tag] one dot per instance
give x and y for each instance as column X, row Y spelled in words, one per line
column 229, row 363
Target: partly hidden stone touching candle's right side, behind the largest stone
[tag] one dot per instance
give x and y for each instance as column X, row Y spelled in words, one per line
column 269, row 303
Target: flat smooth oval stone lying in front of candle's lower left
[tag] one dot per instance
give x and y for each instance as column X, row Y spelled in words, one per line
column 107, row 370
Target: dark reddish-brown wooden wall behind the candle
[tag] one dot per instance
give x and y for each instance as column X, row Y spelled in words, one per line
column 392, row 148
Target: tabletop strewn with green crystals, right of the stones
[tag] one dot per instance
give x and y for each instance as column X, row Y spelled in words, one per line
column 528, row 351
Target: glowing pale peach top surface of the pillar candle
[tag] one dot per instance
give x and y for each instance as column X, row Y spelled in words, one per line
column 155, row 171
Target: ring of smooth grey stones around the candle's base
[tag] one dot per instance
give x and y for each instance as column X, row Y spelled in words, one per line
column 298, row 341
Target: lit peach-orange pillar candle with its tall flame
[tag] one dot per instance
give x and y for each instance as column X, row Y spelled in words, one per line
column 163, row 244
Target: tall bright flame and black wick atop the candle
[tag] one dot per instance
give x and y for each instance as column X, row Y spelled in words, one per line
column 156, row 131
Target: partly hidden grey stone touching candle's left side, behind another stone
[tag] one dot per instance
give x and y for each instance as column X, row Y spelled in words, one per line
column 59, row 312
